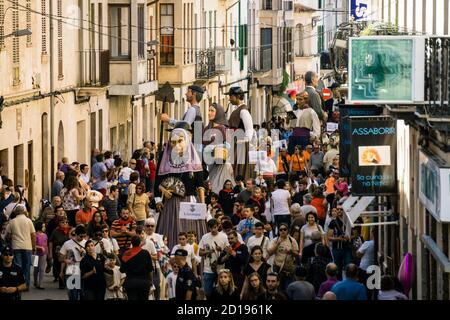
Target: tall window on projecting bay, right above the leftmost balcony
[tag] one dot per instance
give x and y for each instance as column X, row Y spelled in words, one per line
column 120, row 32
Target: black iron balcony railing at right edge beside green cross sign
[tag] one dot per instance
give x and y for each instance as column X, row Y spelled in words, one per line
column 437, row 81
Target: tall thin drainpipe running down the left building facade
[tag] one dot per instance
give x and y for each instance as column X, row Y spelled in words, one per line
column 52, row 98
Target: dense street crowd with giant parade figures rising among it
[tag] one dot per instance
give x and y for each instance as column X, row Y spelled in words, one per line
column 273, row 228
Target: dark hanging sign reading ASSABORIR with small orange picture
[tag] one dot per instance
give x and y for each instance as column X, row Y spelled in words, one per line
column 373, row 155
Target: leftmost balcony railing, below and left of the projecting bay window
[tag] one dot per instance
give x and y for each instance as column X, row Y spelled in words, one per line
column 94, row 66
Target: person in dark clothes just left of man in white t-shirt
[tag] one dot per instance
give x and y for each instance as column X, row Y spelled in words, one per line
column 57, row 239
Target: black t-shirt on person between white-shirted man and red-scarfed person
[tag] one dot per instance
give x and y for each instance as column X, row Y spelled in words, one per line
column 96, row 281
